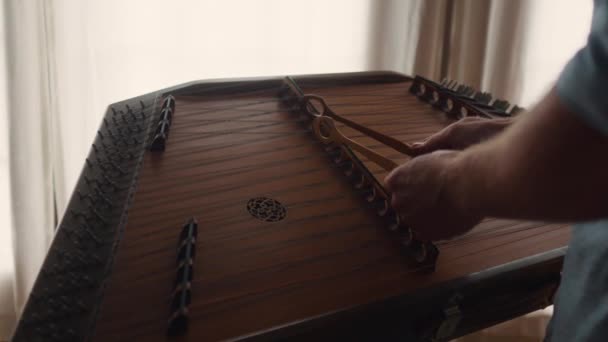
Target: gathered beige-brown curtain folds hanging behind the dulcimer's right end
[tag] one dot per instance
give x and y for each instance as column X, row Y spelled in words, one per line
column 476, row 42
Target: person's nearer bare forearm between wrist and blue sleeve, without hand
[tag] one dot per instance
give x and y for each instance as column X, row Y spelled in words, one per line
column 548, row 165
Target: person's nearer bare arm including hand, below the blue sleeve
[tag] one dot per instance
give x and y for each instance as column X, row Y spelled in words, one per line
column 548, row 165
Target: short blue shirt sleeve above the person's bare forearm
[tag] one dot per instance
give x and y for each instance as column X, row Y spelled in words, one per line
column 583, row 84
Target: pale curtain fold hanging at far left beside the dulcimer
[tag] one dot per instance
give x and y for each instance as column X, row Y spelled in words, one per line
column 29, row 105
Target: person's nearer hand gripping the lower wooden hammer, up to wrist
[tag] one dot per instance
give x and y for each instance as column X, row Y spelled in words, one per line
column 422, row 197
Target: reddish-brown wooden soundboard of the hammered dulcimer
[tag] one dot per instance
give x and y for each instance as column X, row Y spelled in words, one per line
column 329, row 253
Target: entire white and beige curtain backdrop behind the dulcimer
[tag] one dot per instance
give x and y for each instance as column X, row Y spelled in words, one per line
column 68, row 59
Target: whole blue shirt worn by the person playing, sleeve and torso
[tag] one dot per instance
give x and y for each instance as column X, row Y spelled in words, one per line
column 581, row 303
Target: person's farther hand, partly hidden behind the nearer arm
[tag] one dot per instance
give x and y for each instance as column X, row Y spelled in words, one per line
column 461, row 134
